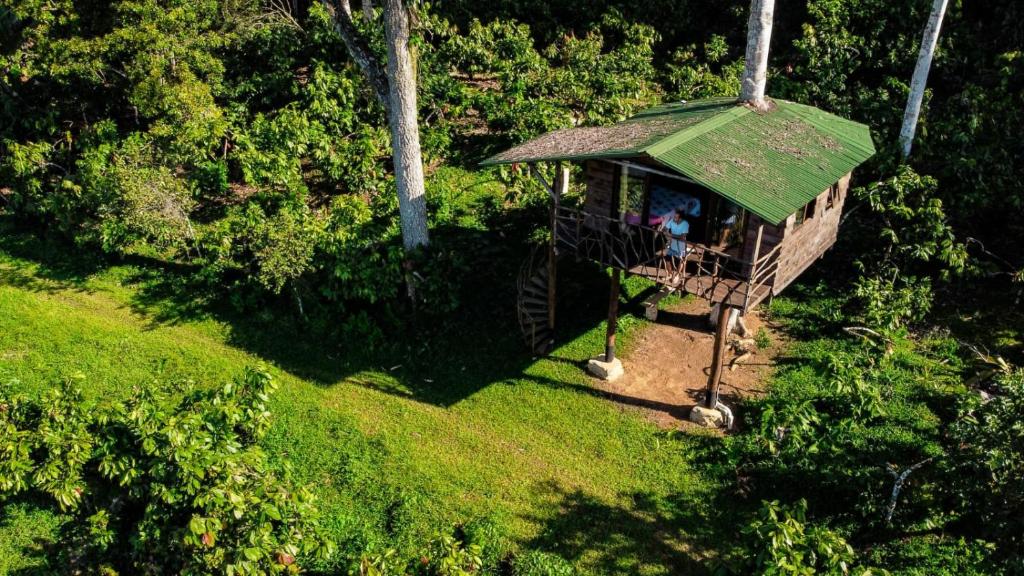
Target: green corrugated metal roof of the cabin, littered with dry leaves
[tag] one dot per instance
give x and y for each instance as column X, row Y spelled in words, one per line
column 772, row 163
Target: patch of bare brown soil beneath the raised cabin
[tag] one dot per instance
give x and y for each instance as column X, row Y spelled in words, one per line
column 667, row 368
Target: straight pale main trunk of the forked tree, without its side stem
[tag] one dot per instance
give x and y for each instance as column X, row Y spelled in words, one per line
column 405, row 127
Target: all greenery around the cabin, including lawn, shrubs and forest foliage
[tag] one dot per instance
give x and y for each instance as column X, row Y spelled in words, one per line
column 217, row 357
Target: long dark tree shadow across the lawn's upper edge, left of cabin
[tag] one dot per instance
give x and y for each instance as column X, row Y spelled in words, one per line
column 432, row 359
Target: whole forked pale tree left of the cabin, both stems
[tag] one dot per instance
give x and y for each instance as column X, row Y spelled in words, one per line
column 395, row 87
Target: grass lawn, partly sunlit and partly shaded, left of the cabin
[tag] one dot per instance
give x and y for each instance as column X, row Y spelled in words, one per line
column 399, row 441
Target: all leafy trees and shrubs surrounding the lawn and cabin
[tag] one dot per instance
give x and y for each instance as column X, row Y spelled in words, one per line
column 237, row 143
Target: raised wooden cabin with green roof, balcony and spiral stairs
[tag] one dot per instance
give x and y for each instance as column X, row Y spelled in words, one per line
column 762, row 195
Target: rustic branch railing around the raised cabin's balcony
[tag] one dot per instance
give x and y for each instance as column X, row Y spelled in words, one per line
column 644, row 251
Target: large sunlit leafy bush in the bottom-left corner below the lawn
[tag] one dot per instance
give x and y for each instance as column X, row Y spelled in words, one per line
column 155, row 488
